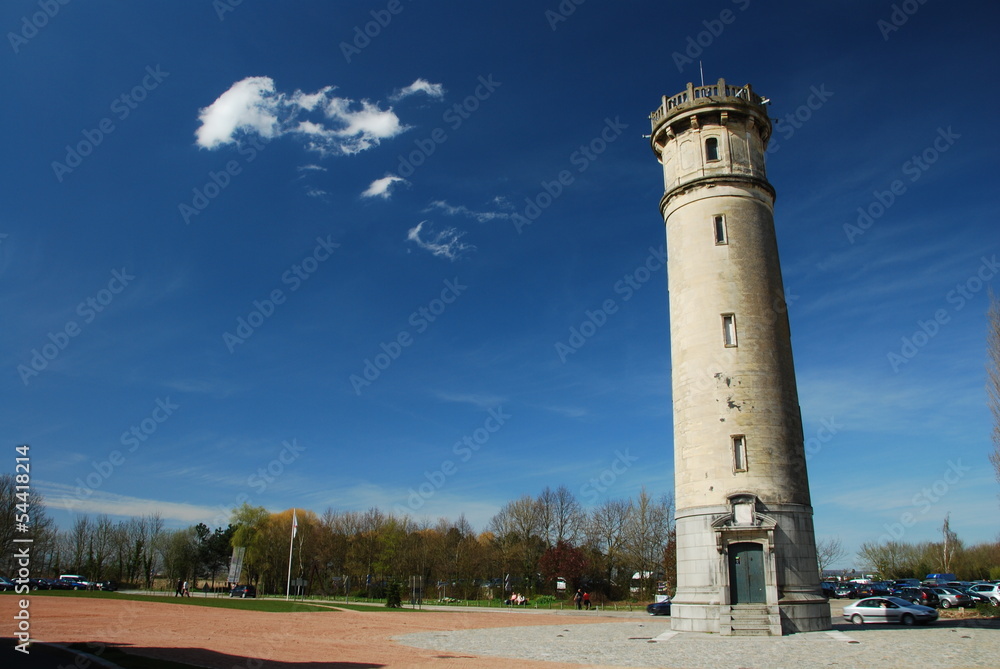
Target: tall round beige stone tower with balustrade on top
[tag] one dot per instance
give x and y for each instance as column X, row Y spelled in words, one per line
column 746, row 552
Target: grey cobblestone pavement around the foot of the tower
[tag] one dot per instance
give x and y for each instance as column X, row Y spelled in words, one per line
column 650, row 643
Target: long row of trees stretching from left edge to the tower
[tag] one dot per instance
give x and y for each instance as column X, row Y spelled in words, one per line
column 526, row 546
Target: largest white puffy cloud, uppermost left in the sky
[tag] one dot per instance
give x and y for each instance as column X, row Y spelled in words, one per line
column 253, row 106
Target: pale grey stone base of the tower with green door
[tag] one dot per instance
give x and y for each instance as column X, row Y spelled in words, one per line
column 743, row 569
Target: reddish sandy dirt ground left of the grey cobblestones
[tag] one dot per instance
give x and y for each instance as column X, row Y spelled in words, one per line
column 230, row 639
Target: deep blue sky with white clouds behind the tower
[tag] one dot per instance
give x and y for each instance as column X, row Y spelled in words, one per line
column 250, row 252
